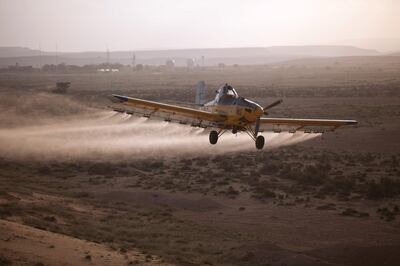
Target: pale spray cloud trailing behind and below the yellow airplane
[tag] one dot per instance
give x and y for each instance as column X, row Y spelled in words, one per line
column 108, row 135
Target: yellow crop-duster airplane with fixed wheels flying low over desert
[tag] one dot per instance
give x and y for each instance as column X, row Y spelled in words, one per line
column 227, row 112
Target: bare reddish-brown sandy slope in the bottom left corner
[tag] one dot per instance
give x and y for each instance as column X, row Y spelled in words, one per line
column 25, row 245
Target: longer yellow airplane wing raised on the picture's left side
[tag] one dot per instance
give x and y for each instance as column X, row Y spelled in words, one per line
column 169, row 112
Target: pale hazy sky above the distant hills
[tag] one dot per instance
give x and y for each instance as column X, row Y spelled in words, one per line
column 152, row 24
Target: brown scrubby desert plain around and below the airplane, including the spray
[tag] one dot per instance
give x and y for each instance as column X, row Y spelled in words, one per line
column 83, row 185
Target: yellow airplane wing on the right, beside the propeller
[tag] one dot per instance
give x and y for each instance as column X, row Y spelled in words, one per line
column 293, row 124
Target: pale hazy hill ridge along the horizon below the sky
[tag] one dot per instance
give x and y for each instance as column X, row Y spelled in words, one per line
column 212, row 56
